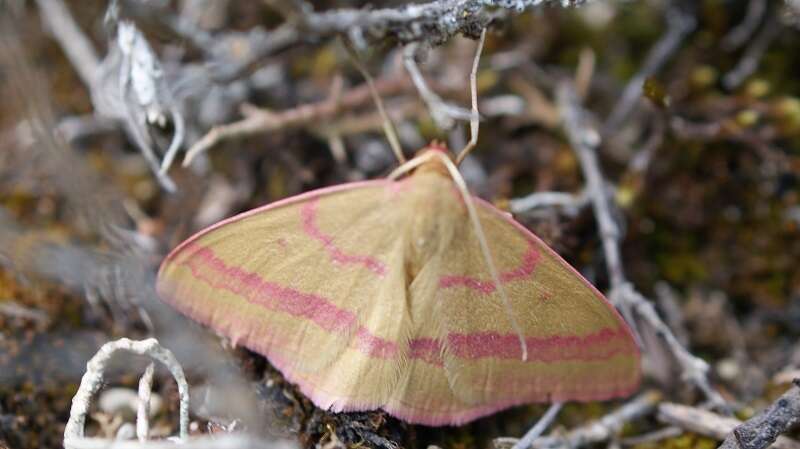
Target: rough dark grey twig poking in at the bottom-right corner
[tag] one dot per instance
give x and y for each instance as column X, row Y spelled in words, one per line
column 766, row 427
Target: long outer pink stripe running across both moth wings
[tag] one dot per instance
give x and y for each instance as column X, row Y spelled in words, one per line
column 331, row 318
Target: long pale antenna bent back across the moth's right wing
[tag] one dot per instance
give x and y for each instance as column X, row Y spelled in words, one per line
column 487, row 255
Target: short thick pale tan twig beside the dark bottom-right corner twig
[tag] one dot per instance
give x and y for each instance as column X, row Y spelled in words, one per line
column 707, row 423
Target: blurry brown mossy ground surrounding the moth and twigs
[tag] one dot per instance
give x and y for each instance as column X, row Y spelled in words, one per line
column 705, row 170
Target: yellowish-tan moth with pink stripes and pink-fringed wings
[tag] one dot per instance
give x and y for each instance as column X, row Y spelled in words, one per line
column 405, row 294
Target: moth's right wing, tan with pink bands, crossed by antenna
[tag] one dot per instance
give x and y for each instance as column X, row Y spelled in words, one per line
column 579, row 348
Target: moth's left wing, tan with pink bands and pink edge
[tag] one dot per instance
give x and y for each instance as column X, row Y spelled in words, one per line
column 308, row 282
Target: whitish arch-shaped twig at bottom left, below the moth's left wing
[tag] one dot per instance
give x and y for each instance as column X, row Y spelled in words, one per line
column 92, row 381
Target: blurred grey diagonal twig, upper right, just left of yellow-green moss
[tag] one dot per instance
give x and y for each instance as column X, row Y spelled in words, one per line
column 680, row 23
